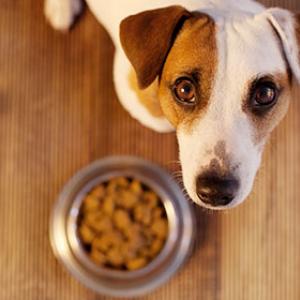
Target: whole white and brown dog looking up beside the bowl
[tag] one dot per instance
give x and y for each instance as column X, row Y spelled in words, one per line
column 218, row 72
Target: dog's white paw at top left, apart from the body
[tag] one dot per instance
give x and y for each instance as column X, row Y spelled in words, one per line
column 62, row 13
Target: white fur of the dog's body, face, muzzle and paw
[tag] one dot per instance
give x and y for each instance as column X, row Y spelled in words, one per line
column 243, row 30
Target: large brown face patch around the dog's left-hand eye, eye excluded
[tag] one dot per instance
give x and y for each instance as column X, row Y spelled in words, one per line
column 194, row 53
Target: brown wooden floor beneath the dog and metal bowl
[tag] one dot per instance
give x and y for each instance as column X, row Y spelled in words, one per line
column 59, row 112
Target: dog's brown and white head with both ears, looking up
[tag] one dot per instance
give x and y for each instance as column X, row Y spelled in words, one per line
column 223, row 83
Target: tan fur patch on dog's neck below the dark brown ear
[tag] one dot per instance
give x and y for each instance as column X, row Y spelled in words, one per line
column 148, row 97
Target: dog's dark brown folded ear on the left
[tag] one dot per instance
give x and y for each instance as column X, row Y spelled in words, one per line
column 147, row 38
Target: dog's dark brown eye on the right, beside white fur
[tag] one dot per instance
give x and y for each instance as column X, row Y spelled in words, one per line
column 265, row 94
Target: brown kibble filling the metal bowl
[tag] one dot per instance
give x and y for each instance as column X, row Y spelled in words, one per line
column 122, row 224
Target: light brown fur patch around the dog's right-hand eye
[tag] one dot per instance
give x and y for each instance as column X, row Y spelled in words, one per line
column 264, row 123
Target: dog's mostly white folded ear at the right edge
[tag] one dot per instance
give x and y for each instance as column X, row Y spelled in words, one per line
column 287, row 26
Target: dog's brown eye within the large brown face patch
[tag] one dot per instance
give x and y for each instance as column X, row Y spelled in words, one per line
column 185, row 91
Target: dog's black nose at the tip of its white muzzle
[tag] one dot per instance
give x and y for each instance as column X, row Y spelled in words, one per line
column 216, row 190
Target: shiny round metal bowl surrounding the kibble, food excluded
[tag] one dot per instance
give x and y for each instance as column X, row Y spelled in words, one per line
column 68, row 249
